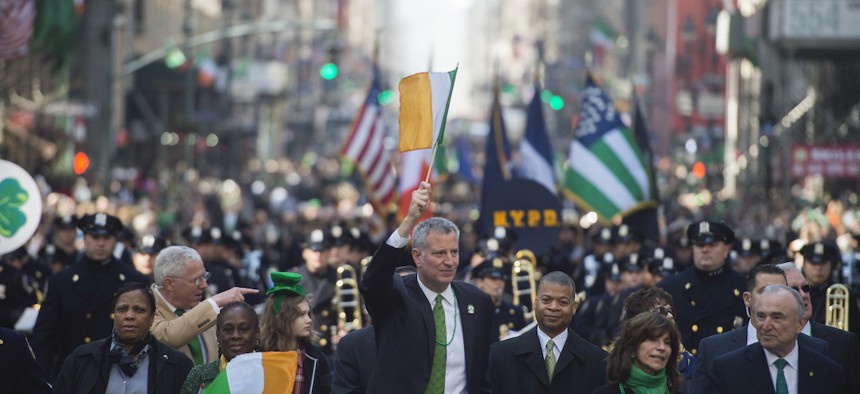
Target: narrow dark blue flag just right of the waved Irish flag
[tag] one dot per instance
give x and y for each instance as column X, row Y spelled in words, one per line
column 498, row 152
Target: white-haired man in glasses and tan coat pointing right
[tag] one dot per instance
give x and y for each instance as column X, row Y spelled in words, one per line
column 182, row 321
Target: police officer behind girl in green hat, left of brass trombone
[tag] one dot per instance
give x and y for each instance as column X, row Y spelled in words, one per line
column 318, row 278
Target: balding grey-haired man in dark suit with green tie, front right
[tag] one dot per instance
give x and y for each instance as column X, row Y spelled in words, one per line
column 777, row 363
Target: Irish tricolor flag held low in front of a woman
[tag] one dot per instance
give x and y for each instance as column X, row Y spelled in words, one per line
column 267, row 372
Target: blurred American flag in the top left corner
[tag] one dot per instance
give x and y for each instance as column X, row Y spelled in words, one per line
column 16, row 27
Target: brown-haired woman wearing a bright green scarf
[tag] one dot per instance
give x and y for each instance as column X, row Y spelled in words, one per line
column 641, row 361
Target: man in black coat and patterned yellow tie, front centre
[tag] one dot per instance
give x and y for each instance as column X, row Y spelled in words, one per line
column 549, row 358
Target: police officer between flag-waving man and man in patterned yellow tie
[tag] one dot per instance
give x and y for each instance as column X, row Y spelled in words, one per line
column 507, row 317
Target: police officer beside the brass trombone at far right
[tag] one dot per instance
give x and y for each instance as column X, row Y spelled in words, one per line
column 819, row 260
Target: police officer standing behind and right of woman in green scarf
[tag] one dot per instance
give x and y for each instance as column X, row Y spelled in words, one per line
column 708, row 295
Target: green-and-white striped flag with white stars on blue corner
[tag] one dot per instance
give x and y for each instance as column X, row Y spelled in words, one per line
column 605, row 171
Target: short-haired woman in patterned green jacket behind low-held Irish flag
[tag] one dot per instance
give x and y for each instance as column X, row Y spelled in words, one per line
column 238, row 331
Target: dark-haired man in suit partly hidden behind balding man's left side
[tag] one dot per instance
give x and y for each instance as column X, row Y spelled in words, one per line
column 710, row 348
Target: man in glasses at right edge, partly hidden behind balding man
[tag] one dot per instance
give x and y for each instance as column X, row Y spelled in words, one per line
column 842, row 346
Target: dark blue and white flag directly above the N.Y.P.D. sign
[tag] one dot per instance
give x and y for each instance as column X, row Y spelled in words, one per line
column 535, row 149
